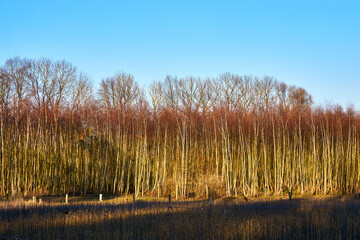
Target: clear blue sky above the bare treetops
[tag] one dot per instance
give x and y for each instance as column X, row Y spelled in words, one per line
column 312, row 44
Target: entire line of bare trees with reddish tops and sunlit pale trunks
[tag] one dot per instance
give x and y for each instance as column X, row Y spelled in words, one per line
column 230, row 135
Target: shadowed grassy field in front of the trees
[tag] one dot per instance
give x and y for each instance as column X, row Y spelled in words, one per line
column 226, row 219
